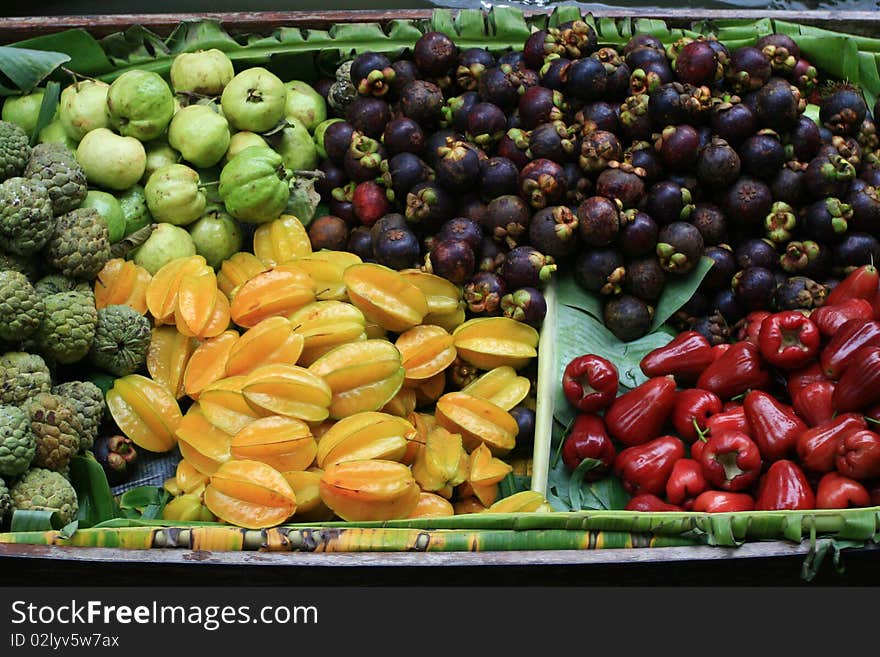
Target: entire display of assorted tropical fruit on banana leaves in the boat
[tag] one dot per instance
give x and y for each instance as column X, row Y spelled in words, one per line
column 390, row 283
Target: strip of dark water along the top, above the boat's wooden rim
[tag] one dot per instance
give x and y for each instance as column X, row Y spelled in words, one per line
column 73, row 7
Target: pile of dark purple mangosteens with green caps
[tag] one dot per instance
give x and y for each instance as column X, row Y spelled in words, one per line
column 621, row 166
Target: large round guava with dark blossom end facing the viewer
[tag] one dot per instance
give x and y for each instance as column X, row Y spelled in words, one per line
column 254, row 100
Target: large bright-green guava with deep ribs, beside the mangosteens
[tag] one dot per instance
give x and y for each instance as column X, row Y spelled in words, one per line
column 254, row 185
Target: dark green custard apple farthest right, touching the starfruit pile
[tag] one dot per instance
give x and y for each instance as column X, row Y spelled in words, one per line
column 122, row 339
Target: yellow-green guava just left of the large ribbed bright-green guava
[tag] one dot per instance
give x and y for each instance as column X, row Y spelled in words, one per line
column 174, row 196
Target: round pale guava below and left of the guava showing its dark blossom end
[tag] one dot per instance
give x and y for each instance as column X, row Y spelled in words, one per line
column 200, row 134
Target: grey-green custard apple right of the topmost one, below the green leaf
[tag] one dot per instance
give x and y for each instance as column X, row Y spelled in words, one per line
column 56, row 167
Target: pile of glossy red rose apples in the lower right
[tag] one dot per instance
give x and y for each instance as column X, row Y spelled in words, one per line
column 782, row 418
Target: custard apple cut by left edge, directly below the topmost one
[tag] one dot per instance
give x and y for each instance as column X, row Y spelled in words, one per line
column 26, row 219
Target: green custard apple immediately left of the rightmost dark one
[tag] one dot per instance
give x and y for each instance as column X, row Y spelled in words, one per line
column 68, row 327
